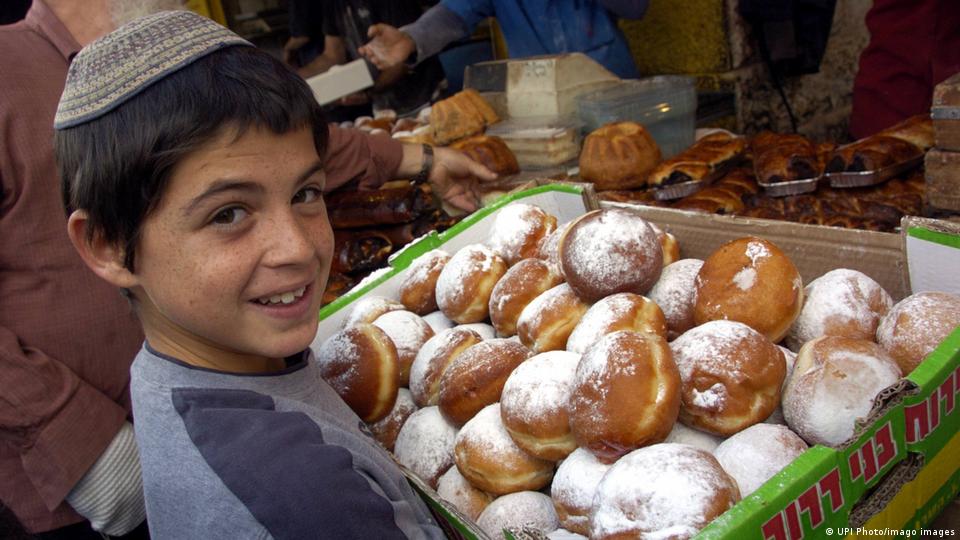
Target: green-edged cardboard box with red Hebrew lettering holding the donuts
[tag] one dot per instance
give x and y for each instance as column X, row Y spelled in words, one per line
column 903, row 463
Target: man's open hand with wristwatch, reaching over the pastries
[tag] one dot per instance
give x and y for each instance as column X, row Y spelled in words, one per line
column 454, row 177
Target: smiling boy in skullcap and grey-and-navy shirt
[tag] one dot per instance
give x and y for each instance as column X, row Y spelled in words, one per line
column 191, row 163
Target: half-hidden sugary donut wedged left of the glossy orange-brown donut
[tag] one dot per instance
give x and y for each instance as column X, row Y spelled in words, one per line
column 675, row 292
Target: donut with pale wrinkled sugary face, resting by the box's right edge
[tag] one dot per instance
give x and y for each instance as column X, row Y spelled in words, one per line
column 833, row 385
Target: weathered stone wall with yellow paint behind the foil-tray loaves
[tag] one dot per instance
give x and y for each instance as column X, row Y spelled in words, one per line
column 708, row 39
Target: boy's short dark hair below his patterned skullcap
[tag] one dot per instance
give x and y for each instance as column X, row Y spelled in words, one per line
column 116, row 167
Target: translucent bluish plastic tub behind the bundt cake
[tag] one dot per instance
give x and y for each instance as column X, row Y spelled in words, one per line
column 665, row 105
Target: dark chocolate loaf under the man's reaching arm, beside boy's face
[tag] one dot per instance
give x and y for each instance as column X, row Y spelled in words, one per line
column 351, row 209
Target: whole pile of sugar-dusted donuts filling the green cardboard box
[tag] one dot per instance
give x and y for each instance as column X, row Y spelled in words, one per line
column 582, row 379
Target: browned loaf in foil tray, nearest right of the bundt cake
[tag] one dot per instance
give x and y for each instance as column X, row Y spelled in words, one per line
column 706, row 157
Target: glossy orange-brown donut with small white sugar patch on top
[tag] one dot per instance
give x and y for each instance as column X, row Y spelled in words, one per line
column 751, row 281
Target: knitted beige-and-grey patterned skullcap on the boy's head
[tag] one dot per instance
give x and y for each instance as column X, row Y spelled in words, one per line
column 116, row 67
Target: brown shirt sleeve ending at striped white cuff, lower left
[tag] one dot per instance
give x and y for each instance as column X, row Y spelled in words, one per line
column 59, row 424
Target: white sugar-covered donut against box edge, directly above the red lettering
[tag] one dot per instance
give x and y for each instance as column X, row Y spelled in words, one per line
column 755, row 454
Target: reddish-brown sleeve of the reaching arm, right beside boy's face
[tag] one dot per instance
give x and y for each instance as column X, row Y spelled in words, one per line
column 353, row 155
